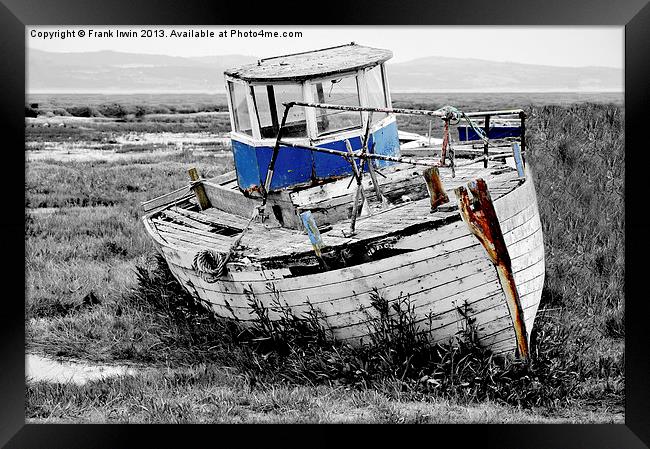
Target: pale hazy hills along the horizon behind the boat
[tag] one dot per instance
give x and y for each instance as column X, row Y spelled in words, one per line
column 111, row 72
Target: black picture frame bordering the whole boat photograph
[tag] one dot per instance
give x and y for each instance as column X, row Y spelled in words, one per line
column 633, row 14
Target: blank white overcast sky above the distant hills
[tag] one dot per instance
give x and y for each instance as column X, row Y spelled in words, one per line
column 575, row 46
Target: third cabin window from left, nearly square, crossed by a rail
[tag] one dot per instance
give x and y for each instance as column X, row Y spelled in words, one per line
column 342, row 91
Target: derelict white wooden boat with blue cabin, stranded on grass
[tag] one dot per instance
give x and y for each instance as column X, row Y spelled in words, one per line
column 323, row 211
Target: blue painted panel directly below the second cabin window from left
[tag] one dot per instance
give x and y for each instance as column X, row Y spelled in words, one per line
column 293, row 166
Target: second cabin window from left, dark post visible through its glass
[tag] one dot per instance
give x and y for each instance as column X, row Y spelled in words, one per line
column 268, row 102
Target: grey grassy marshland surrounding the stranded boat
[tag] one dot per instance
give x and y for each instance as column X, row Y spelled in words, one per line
column 86, row 297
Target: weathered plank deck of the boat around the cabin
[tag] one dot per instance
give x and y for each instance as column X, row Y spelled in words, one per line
column 185, row 227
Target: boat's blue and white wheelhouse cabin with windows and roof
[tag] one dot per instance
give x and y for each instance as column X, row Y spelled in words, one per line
column 351, row 75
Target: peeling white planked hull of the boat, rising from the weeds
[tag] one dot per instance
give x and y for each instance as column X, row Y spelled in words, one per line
column 444, row 273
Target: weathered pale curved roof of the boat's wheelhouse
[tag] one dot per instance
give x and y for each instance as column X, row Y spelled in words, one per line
column 312, row 64
